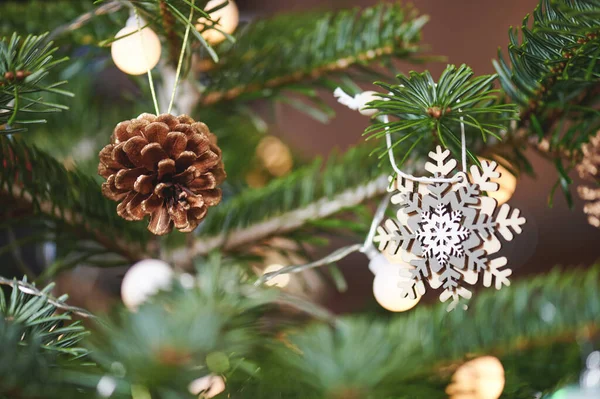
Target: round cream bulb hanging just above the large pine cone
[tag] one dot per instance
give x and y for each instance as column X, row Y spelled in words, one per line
column 135, row 52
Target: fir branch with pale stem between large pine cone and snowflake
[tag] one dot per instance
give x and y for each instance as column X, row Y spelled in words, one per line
column 288, row 203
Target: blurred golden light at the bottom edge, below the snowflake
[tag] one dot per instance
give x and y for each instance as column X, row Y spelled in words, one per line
column 481, row 378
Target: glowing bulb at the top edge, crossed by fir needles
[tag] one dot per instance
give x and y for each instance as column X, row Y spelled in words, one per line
column 226, row 20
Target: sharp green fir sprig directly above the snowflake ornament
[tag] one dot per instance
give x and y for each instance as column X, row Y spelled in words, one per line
column 425, row 112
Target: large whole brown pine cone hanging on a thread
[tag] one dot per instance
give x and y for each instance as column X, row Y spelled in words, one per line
column 163, row 166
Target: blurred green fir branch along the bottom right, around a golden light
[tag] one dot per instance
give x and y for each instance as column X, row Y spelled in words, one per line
column 528, row 327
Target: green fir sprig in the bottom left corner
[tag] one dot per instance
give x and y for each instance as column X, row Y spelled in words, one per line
column 39, row 345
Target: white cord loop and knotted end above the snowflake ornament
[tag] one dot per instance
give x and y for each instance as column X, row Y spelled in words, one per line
column 359, row 102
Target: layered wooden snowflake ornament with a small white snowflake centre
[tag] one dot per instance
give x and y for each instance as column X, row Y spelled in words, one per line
column 447, row 233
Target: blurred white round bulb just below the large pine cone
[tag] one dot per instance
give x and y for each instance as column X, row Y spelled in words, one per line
column 143, row 280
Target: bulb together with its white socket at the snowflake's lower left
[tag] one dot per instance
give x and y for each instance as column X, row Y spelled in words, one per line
column 387, row 282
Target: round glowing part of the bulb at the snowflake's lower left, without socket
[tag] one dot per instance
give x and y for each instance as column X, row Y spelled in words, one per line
column 387, row 292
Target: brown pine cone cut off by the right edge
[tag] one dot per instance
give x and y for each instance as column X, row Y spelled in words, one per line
column 589, row 169
